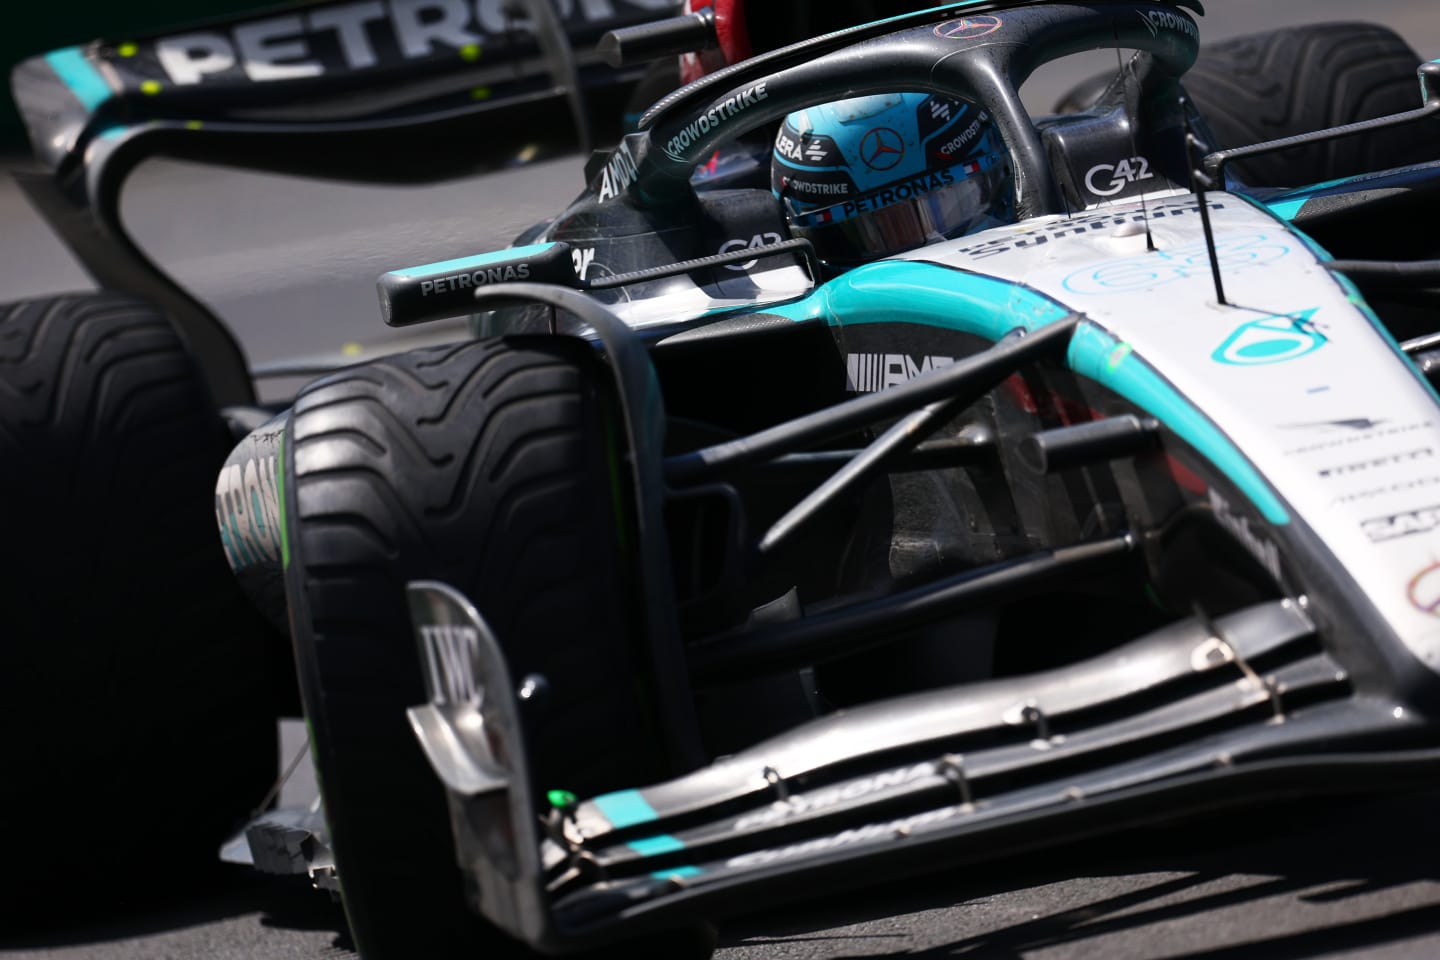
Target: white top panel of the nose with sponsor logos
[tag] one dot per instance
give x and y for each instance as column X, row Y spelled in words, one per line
column 1295, row 372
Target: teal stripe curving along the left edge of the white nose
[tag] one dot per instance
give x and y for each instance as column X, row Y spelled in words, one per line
column 934, row 296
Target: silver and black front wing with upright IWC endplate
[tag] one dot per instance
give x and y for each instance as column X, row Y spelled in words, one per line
column 1190, row 717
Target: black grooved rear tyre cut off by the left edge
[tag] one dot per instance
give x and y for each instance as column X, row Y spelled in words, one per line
column 135, row 707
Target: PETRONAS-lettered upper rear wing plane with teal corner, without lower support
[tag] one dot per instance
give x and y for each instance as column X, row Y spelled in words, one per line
column 244, row 90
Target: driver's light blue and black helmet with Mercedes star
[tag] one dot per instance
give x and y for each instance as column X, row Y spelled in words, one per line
column 875, row 176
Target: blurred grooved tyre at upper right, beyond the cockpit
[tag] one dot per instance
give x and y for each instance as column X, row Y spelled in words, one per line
column 1301, row 80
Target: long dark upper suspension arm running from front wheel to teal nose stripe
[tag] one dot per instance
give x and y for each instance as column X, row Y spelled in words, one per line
column 991, row 366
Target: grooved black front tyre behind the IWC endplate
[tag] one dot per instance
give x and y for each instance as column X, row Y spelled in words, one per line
column 492, row 467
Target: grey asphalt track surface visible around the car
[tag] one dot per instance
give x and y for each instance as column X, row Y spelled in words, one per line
column 292, row 266
